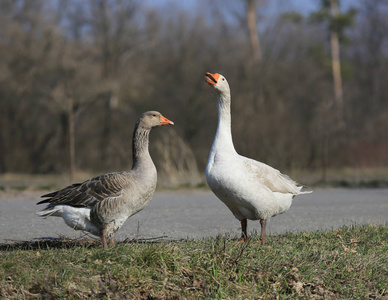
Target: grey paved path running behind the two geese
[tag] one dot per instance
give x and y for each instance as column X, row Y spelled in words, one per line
column 200, row 214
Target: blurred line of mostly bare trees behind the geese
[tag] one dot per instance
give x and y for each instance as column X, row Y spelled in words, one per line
column 75, row 76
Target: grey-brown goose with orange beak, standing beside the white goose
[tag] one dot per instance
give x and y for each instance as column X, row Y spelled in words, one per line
column 102, row 204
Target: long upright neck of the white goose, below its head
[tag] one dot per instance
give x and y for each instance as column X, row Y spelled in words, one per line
column 223, row 139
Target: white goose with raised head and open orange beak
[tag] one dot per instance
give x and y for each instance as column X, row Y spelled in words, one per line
column 250, row 189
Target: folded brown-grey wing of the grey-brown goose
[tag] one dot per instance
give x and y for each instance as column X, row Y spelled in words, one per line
column 90, row 192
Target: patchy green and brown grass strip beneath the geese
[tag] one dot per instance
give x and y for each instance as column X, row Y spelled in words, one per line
column 349, row 263
